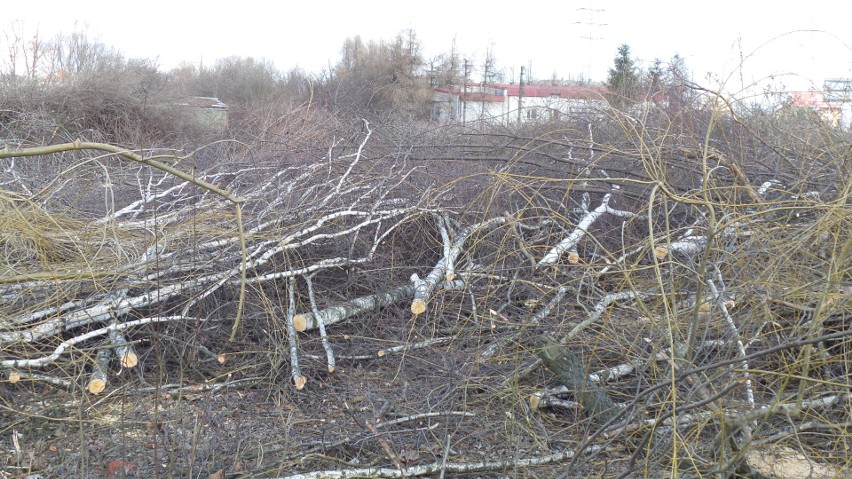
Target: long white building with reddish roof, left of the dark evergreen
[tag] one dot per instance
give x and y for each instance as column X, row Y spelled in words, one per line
column 506, row 104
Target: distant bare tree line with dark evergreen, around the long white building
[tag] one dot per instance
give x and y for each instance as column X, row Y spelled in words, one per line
column 378, row 80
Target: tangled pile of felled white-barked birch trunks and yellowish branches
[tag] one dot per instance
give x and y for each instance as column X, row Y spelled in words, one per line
column 675, row 289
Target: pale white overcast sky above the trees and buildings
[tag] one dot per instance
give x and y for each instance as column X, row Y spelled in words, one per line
column 794, row 46
